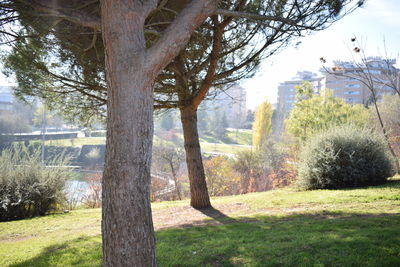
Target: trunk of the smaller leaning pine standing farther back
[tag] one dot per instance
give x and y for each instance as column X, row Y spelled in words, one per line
column 199, row 198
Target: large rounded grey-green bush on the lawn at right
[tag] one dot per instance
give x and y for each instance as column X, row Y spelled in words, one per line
column 343, row 157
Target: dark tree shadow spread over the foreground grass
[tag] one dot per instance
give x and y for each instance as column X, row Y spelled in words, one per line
column 326, row 238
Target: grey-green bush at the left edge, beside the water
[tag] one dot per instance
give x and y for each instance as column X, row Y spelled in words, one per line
column 27, row 188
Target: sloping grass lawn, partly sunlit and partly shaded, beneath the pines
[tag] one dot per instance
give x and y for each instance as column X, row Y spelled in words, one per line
column 353, row 227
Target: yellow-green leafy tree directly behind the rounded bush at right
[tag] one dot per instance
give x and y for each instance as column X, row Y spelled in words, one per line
column 313, row 113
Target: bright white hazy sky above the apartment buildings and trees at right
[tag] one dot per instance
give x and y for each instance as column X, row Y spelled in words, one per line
column 377, row 21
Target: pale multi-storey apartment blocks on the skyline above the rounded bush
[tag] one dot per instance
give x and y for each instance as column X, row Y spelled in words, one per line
column 348, row 80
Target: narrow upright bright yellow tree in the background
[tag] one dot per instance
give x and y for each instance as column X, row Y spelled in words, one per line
column 262, row 124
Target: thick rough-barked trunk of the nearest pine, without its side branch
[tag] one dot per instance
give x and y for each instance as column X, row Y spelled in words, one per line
column 127, row 227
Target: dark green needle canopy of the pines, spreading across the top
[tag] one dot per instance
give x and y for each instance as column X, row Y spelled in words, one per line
column 58, row 51
